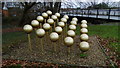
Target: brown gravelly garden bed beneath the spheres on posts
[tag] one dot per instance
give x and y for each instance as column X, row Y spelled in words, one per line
column 93, row 57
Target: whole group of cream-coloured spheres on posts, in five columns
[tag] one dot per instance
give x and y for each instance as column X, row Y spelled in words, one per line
column 54, row 25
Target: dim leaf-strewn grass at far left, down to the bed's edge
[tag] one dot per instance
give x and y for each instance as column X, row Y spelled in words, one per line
column 12, row 39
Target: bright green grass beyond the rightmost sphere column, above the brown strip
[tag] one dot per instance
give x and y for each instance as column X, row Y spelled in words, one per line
column 104, row 31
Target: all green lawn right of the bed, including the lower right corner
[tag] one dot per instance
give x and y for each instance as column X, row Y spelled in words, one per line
column 106, row 32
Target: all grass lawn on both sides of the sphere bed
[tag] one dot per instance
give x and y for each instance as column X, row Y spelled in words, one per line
column 104, row 31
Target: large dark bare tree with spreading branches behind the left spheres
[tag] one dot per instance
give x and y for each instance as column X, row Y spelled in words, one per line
column 43, row 6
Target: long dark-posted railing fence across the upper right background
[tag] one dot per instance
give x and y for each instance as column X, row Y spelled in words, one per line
column 96, row 13
